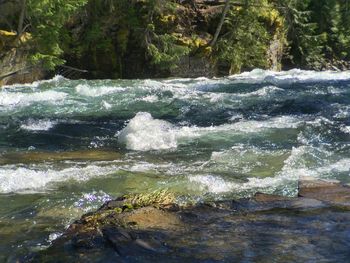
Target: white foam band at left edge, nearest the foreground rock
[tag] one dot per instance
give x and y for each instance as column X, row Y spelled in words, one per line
column 22, row 179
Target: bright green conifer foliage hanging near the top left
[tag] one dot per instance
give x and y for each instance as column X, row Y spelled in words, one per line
column 47, row 18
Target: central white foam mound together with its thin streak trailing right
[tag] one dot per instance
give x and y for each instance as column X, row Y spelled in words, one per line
column 144, row 133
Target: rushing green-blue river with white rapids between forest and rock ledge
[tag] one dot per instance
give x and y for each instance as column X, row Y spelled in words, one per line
column 67, row 146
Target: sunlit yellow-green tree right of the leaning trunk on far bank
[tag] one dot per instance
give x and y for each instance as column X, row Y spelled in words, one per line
column 244, row 44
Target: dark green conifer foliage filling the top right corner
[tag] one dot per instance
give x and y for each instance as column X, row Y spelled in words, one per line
column 318, row 31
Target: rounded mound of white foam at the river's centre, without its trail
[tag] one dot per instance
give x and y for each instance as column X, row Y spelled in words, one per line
column 143, row 133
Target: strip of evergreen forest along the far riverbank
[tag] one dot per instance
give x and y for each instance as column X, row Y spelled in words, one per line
column 155, row 38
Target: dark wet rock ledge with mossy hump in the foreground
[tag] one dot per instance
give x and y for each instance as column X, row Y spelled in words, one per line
column 313, row 227
